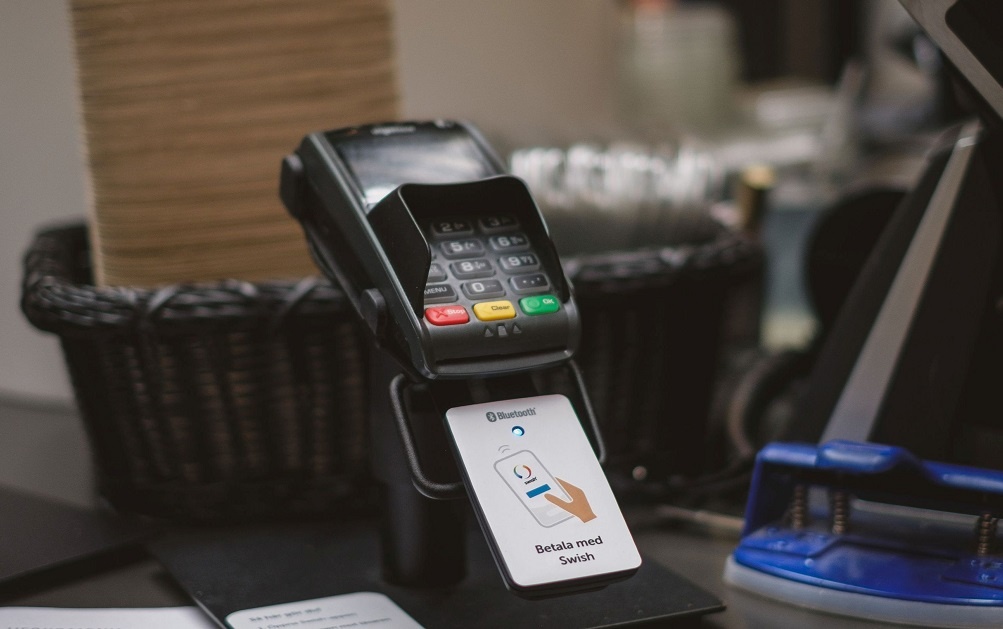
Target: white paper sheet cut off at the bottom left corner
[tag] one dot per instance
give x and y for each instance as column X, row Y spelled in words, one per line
column 62, row 618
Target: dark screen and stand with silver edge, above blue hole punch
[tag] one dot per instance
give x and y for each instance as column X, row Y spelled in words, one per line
column 915, row 358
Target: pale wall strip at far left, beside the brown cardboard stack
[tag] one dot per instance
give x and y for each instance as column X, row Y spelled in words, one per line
column 42, row 177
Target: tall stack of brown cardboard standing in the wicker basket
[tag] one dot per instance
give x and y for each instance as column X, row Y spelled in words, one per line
column 189, row 108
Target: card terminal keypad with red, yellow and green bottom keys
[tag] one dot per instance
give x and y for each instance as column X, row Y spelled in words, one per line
column 483, row 269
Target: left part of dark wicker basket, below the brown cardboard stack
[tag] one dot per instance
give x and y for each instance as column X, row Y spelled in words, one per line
column 209, row 403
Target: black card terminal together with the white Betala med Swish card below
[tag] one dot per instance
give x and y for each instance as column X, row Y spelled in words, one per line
column 450, row 264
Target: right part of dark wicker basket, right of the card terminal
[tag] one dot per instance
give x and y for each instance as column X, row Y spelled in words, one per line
column 656, row 324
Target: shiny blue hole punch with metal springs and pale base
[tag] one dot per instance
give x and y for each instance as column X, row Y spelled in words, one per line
column 871, row 531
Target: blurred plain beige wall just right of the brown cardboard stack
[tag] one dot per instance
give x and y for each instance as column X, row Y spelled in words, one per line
column 526, row 72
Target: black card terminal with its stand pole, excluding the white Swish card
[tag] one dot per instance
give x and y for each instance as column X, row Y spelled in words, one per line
column 368, row 198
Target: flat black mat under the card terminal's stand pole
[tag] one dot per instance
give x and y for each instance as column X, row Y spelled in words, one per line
column 233, row 570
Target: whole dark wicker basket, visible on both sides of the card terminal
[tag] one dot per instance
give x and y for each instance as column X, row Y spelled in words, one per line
column 246, row 402
